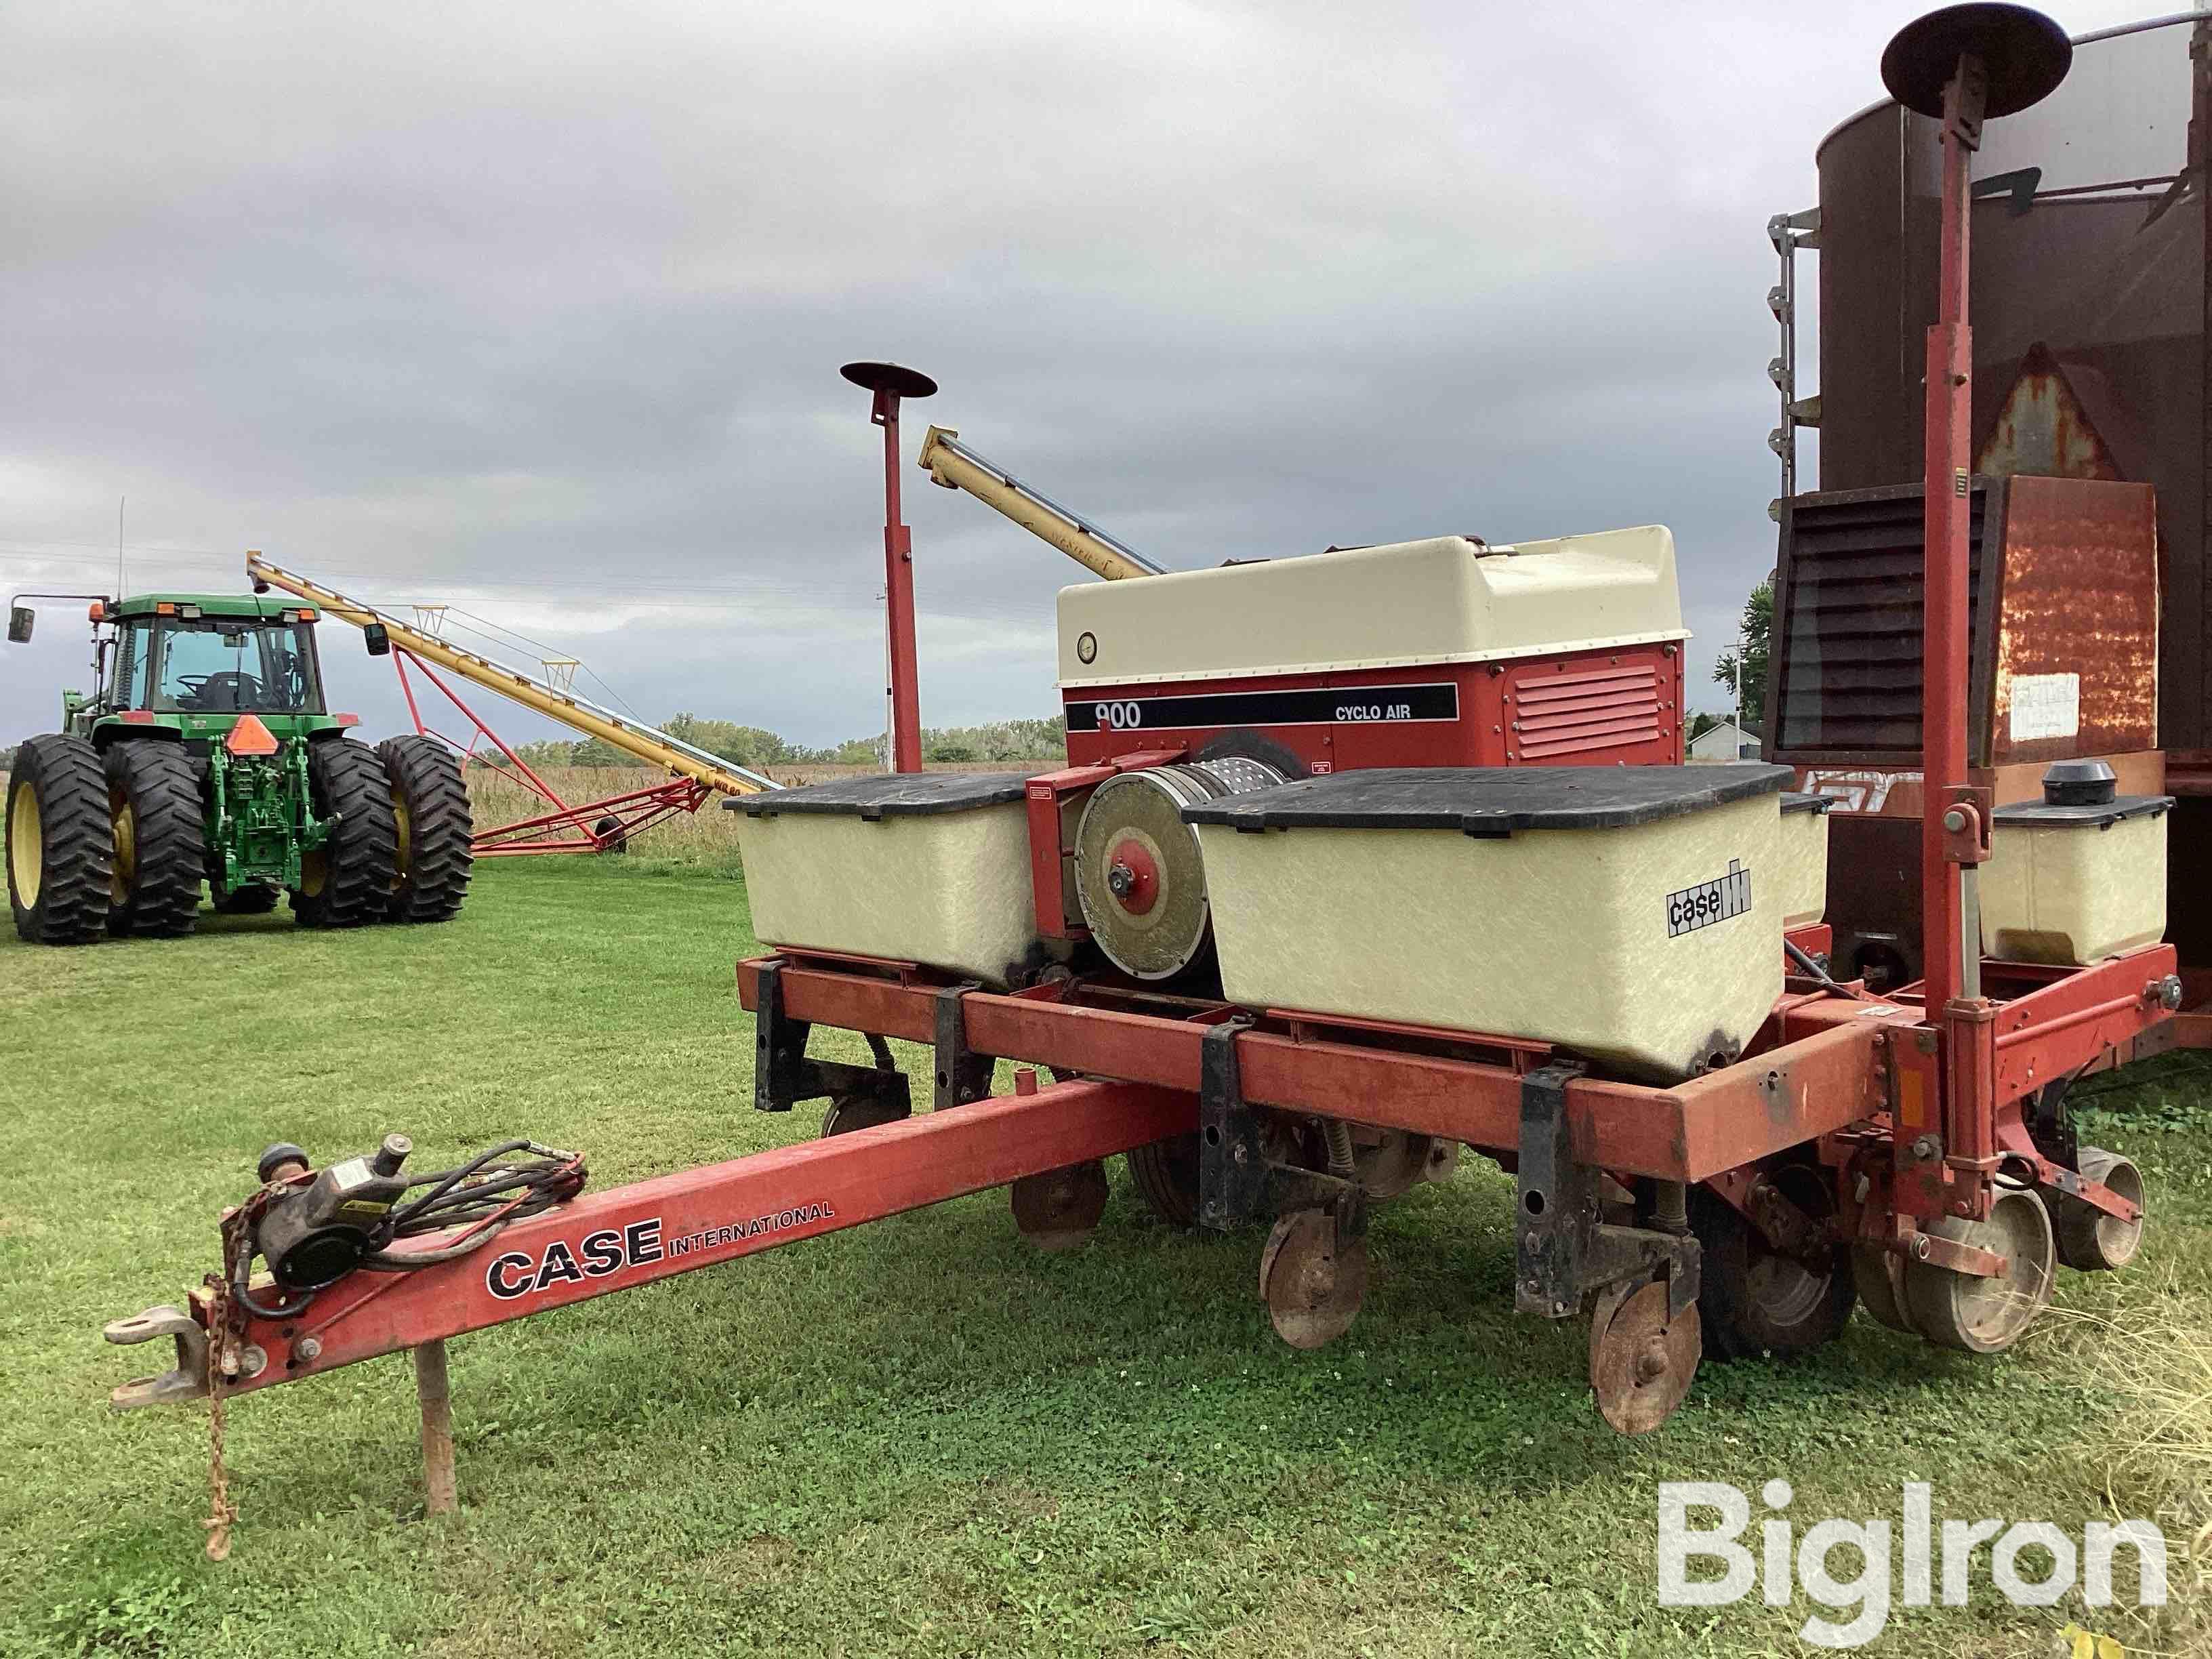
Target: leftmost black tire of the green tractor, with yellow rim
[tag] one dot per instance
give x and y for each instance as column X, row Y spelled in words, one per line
column 61, row 778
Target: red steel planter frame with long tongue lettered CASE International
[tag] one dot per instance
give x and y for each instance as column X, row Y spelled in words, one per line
column 1837, row 1072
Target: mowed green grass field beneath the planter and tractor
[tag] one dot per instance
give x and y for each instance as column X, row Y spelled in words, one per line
column 917, row 1437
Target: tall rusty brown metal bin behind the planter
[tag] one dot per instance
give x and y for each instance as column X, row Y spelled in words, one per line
column 2089, row 328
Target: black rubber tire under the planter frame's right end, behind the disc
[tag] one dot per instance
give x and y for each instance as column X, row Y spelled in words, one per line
column 1744, row 1313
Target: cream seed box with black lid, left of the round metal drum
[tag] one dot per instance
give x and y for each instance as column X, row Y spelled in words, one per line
column 919, row 868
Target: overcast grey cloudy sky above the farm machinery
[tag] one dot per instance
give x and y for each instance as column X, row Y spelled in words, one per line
column 539, row 309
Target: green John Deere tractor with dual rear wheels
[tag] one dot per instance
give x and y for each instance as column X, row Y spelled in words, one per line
column 207, row 755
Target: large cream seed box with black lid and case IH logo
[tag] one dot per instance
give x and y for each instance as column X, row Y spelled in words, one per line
column 1629, row 912
